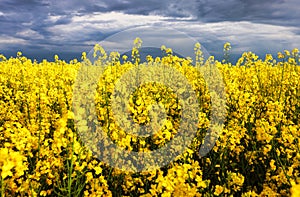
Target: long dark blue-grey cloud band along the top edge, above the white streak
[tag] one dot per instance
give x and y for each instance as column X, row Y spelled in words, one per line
column 279, row 12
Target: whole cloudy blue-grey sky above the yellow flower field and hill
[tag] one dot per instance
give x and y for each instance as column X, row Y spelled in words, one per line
column 42, row 28
